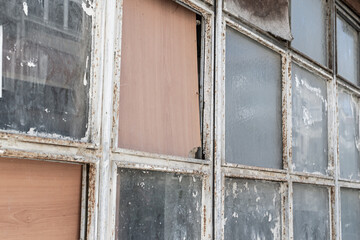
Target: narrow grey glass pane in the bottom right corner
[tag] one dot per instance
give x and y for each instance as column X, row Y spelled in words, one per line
column 350, row 214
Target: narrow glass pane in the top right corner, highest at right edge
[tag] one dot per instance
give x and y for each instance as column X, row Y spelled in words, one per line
column 347, row 51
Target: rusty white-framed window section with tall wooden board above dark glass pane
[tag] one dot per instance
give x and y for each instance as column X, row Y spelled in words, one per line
column 163, row 111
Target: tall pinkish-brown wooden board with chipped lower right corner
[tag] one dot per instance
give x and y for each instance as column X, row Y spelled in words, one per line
column 159, row 102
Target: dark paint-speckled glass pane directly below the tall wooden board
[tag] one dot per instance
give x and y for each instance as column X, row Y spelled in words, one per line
column 157, row 205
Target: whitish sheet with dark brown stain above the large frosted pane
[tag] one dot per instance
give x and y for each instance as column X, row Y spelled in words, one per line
column 270, row 15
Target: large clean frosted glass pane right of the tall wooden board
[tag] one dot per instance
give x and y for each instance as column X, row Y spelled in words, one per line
column 252, row 103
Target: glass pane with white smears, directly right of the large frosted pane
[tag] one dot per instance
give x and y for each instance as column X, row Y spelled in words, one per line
column 309, row 121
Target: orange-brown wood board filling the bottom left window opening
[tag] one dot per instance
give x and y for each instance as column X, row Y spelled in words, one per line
column 39, row 200
